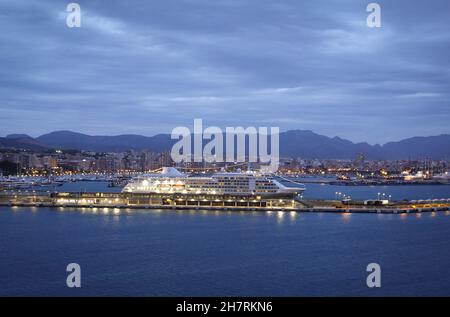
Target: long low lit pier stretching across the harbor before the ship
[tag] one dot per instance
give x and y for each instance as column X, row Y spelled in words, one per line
column 218, row 202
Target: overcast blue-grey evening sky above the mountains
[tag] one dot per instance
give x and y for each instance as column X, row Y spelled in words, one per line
column 146, row 67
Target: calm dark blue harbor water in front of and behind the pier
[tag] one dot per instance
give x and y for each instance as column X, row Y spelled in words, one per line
column 200, row 253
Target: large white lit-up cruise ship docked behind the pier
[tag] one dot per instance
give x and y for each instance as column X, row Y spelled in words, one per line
column 172, row 181
